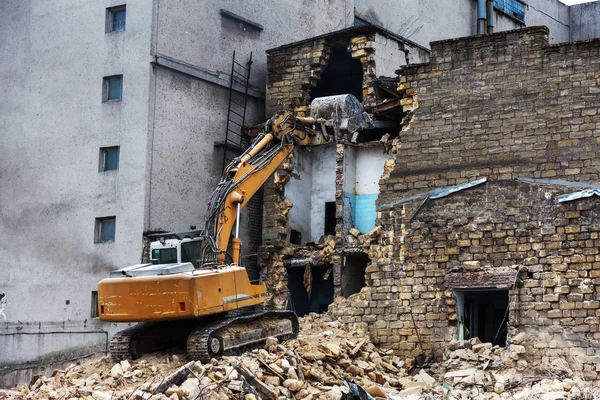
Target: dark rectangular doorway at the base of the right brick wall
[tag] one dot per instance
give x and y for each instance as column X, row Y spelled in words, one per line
column 485, row 315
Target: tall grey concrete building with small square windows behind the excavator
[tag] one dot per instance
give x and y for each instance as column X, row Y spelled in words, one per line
column 109, row 112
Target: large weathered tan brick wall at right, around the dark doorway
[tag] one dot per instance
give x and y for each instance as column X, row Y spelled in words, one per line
column 502, row 106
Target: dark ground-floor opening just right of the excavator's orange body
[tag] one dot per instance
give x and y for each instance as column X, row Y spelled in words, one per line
column 321, row 295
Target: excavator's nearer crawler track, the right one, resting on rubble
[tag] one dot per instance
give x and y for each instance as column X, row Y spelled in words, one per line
column 220, row 337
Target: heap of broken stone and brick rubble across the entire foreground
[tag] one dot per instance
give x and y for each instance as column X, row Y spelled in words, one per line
column 328, row 360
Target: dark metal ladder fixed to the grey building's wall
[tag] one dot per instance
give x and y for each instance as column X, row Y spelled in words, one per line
column 239, row 82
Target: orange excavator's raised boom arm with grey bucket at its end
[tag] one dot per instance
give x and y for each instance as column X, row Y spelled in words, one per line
column 246, row 174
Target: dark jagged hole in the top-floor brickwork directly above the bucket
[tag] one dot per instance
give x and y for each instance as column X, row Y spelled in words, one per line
column 342, row 75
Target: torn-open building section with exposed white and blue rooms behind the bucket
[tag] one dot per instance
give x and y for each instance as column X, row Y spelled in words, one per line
column 322, row 201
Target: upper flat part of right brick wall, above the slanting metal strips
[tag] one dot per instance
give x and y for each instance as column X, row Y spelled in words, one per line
column 505, row 106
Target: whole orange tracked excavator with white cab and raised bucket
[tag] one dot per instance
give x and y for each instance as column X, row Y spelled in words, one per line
column 195, row 291
